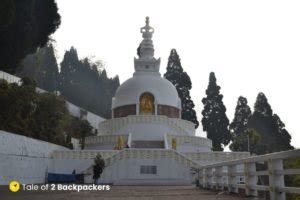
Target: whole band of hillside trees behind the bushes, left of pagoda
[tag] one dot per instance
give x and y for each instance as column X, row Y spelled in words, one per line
column 80, row 81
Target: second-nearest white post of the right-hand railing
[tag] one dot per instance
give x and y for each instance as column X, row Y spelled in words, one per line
column 250, row 179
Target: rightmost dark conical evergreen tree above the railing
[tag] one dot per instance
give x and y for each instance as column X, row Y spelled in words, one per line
column 274, row 136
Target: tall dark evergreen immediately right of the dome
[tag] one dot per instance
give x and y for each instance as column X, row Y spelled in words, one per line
column 183, row 84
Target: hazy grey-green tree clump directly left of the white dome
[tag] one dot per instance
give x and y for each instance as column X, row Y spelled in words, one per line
column 84, row 84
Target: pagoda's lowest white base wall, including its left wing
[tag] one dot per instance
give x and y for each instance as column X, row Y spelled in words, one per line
column 124, row 167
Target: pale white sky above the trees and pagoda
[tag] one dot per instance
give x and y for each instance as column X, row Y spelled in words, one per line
column 252, row 46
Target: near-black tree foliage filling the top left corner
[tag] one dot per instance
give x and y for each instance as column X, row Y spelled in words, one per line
column 24, row 26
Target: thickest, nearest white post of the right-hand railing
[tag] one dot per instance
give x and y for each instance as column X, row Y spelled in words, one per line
column 275, row 180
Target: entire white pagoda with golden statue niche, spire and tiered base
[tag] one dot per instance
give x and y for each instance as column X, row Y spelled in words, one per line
column 146, row 141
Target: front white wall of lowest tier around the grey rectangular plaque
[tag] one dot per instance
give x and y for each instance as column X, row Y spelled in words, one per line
column 127, row 172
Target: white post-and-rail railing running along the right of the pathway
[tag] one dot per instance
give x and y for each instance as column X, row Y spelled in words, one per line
column 227, row 175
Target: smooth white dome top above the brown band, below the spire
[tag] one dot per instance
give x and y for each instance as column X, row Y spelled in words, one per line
column 130, row 91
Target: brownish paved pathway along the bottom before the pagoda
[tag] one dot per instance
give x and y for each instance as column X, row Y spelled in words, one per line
column 124, row 193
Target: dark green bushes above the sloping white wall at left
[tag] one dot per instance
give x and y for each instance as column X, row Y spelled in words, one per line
column 41, row 116
